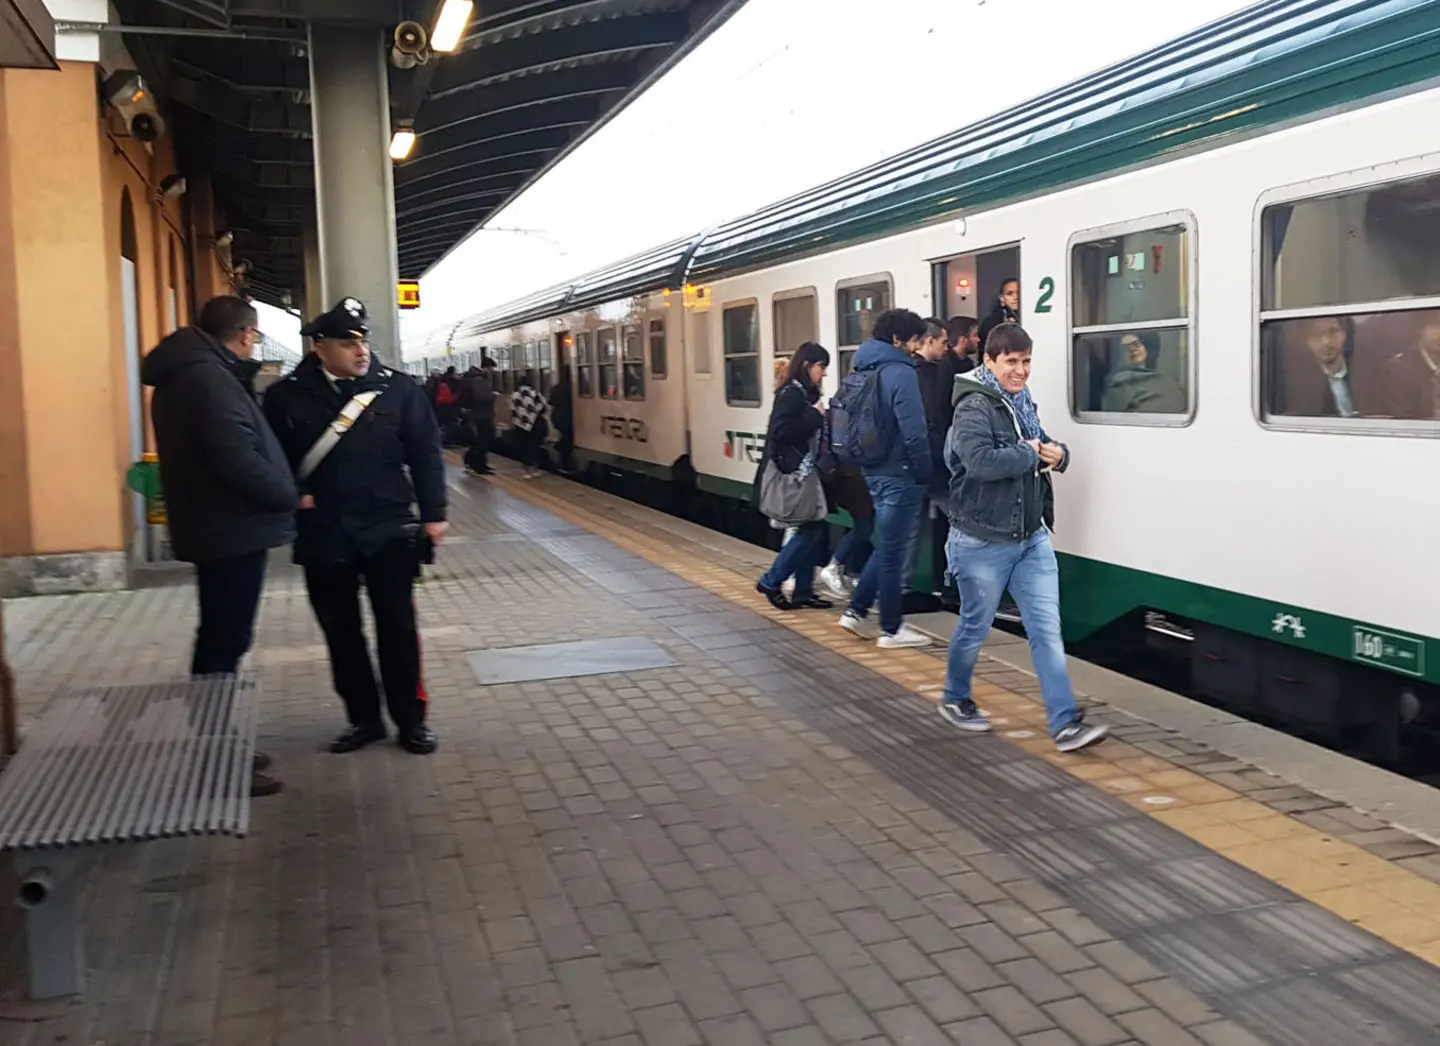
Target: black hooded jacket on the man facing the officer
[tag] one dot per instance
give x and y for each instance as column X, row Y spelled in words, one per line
column 227, row 485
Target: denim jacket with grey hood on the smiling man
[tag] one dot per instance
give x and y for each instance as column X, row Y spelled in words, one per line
column 999, row 492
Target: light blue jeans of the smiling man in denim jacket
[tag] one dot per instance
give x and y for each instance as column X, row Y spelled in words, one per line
column 984, row 571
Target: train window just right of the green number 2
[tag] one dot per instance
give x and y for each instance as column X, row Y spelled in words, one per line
column 1133, row 323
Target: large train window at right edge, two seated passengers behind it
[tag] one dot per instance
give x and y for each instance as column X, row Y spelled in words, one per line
column 1350, row 309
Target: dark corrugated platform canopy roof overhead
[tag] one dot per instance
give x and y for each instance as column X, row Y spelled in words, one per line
column 529, row 83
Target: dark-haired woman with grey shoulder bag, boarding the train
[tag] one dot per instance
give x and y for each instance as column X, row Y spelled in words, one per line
column 797, row 419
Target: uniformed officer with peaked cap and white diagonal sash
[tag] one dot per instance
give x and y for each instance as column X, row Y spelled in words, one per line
column 351, row 427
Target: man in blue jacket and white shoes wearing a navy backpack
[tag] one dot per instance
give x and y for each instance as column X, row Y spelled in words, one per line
column 886, row 371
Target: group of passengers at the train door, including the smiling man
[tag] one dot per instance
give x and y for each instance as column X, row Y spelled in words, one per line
column 955, row 427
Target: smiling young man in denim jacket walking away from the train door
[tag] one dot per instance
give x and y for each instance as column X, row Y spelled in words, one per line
column 1002, row 514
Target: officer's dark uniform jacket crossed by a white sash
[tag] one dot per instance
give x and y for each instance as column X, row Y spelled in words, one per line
column 364, row 496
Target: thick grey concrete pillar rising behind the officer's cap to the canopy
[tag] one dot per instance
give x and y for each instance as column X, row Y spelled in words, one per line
column 355, row 182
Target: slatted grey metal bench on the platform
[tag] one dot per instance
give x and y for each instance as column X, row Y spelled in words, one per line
column 119, row 766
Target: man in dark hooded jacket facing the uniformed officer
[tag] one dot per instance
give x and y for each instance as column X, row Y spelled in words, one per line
column 230, row 493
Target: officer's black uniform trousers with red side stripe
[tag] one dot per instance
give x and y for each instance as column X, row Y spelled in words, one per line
column 335, row 594
